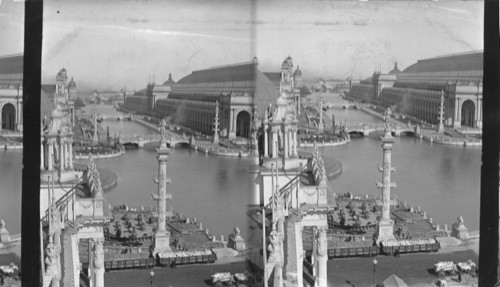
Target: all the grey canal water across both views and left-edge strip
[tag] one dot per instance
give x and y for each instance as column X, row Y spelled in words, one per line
column 443, row 180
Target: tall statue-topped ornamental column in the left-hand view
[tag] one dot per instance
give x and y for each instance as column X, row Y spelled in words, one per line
column 162, row 236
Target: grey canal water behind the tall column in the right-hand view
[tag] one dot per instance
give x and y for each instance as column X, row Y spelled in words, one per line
column 443, row 180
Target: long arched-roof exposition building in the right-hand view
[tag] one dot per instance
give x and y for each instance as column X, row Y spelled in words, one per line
column 417, row 90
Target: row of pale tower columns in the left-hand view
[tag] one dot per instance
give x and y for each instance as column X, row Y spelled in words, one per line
column 51, row 150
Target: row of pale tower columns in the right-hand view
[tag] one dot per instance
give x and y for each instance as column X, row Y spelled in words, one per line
column 276, row 138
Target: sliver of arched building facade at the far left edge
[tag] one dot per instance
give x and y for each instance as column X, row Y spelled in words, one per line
column 11, row 93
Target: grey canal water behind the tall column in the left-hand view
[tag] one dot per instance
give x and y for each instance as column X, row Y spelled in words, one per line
column 215, row 190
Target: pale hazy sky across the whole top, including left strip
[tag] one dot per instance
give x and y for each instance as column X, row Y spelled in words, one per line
column 125, row 44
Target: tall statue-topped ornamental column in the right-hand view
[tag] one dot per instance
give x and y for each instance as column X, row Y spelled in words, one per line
column 385, row 225
